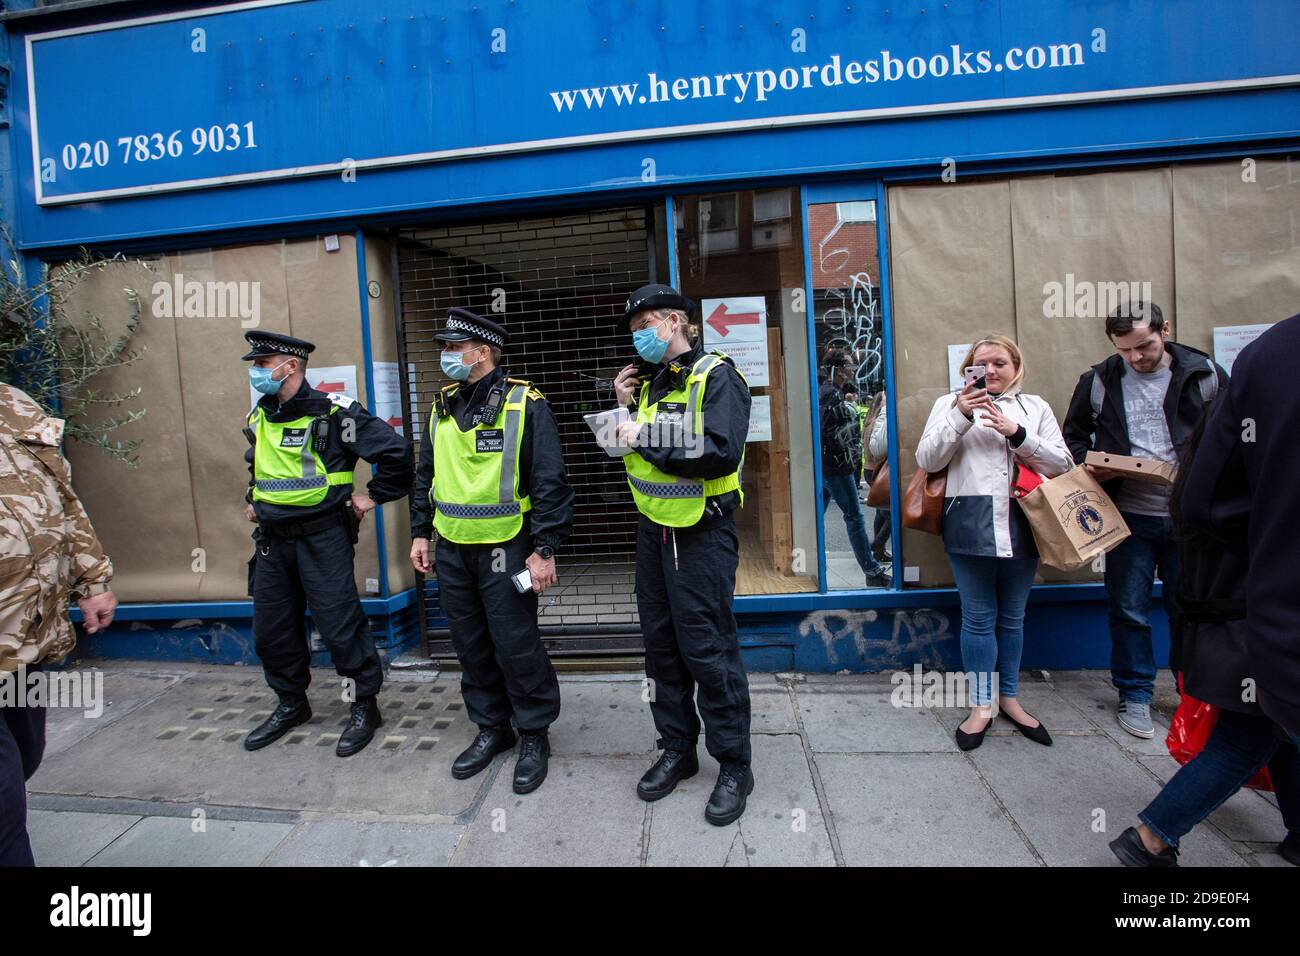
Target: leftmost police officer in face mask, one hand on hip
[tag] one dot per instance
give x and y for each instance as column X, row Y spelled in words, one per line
column 305, row 445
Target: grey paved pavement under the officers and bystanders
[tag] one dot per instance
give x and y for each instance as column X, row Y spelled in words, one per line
column 843, row 778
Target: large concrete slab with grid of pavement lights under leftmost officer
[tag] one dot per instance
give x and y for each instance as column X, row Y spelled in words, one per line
column 187, row 747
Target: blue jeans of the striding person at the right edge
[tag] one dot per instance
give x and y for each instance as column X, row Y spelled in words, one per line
column 1240, row 746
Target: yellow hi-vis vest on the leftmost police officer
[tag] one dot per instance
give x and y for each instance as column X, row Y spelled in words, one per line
column 285, row 469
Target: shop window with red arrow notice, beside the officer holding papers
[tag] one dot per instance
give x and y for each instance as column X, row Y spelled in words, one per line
column 752, row 308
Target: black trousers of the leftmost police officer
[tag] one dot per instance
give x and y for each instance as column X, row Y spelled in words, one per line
column 293, row 576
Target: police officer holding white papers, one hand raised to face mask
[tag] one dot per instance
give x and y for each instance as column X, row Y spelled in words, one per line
column 688, row 434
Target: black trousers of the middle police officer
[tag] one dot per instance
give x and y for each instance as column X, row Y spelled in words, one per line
column 505, row 669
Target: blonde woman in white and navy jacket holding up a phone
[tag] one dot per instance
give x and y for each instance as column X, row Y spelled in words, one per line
column 982, row 435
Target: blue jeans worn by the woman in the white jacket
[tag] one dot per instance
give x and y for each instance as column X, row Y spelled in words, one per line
column 994, row 592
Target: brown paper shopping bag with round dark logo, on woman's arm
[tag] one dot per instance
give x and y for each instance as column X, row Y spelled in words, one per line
column 1073, row 520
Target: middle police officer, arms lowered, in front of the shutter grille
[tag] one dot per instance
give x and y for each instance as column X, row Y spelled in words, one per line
column 492, row 482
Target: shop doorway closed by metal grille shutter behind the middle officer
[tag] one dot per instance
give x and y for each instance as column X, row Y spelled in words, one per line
column 560, row 285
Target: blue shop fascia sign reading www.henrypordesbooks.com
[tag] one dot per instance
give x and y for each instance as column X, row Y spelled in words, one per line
column 293, row 90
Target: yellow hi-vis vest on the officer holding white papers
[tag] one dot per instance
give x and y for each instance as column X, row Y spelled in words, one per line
column 666, row 499
